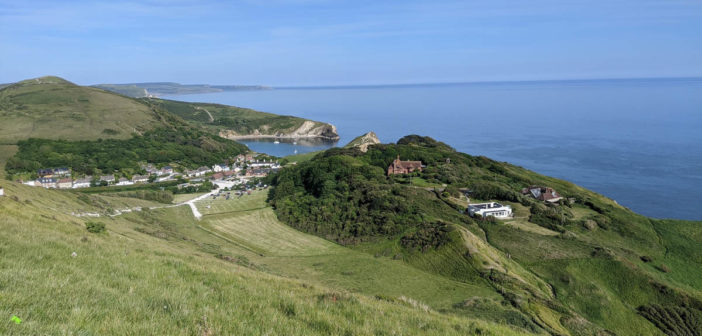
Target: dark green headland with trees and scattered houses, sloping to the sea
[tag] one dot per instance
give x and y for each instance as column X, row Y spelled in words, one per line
column 586, row 267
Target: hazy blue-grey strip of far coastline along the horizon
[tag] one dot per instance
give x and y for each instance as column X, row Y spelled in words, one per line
column 140, row 90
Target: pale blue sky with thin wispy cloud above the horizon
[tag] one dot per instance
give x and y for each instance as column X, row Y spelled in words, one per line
column 320, row 42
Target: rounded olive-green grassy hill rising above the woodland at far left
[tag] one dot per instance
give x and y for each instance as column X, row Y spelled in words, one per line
column 53, row 108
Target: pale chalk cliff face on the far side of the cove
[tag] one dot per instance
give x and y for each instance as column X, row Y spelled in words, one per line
column 308, row 129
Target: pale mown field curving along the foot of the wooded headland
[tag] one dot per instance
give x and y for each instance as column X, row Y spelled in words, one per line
column 286, row 251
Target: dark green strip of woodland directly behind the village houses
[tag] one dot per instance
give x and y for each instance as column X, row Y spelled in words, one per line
column 187, row 146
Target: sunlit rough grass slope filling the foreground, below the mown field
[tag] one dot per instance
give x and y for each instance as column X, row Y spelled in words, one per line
column 126, row 282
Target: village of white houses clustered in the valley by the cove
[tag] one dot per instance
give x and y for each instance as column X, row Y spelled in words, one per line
column 242, row 167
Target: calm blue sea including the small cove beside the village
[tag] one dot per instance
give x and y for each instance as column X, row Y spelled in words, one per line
column 636, row 141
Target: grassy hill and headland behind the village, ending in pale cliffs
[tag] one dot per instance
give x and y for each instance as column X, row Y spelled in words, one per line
column 53, row 108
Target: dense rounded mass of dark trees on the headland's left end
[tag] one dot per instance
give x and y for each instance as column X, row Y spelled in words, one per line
column 342, row 199
